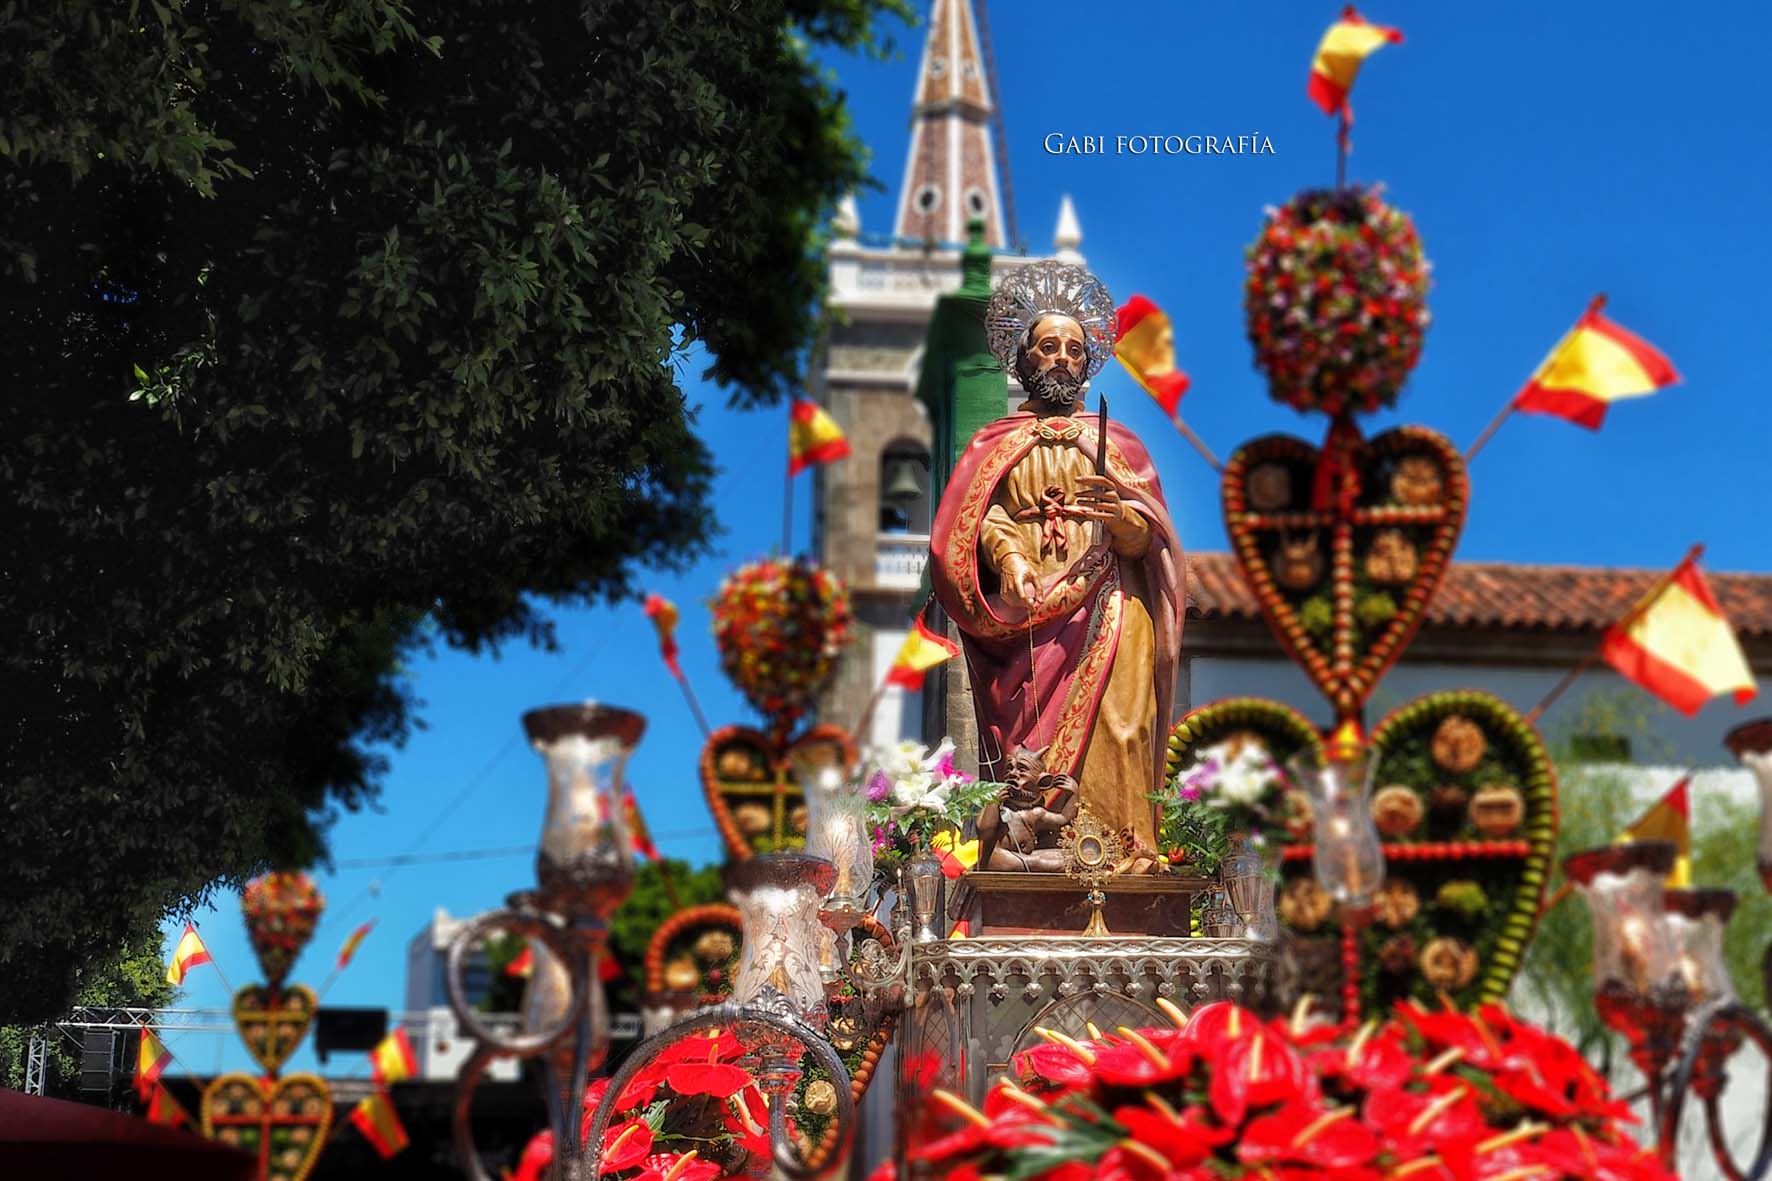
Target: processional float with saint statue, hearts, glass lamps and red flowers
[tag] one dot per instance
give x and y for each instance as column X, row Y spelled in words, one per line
column 1410, row 857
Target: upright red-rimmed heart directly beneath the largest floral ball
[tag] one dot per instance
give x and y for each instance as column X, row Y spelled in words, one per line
column 1344, row 547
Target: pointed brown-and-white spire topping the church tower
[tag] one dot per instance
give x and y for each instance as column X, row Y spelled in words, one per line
column 952, row 169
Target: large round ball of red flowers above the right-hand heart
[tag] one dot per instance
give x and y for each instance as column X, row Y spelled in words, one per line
column 1337, row 301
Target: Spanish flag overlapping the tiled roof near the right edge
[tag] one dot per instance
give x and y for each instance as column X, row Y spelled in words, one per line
column 1681, row 645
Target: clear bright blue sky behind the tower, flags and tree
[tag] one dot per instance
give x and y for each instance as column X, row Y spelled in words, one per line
column 1546, row 153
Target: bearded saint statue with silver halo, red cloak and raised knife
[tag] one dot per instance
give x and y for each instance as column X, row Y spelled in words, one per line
column 1064, row 575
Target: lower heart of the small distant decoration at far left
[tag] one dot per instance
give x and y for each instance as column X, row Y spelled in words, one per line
column 284, row 1123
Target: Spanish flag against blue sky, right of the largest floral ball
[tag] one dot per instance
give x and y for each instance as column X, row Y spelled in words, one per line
column 1592, row 368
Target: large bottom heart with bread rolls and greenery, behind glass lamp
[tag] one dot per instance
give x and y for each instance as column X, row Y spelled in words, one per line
column 1465, row 799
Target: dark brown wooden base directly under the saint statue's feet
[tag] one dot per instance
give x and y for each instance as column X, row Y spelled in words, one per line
column 1149, row 905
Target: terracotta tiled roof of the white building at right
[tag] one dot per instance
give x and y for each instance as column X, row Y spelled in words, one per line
column 1505, row 595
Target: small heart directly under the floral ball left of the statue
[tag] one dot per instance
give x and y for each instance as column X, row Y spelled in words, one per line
column 750, row 786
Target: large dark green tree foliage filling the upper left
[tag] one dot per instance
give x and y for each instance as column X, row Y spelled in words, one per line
column 330, row 325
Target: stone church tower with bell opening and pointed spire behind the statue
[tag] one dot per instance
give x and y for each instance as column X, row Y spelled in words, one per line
column 873, row 512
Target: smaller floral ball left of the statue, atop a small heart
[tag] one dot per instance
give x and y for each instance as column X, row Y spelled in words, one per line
column 781, row 627
